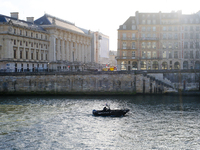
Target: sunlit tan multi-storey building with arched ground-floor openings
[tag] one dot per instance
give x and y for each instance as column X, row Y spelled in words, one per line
column 152, row 41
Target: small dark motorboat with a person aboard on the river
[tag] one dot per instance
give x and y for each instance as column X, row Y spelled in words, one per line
column 108, row 112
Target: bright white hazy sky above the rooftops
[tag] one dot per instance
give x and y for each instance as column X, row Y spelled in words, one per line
column 96, row 15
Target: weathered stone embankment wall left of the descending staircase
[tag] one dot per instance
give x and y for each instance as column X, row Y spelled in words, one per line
column 79, row 83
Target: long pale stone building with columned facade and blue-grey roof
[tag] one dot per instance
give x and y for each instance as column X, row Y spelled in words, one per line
column 46, row 44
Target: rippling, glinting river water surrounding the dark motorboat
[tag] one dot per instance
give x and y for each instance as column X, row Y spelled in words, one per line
column 154, row 122
